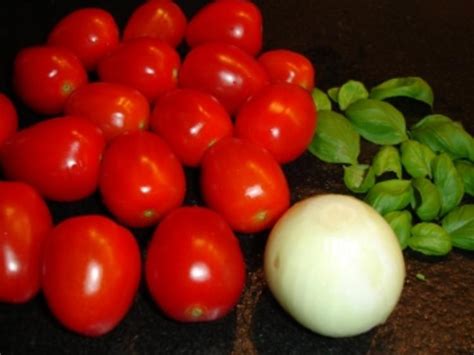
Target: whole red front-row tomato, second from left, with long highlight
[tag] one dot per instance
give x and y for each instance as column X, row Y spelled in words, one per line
column 90, row 275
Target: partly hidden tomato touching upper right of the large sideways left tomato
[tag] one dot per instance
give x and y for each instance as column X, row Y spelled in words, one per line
column 115, row 108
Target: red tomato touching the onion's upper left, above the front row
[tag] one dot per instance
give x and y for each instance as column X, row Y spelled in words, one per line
column 245, row 184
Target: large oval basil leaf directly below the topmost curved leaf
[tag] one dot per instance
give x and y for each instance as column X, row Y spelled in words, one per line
column 377, row 121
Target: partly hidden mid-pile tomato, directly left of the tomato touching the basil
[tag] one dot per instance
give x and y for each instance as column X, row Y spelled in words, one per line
column 190, row 121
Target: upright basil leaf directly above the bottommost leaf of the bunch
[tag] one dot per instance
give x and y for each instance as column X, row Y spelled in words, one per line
column 428, row 205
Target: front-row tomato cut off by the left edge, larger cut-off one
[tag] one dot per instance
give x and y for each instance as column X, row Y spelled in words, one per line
column 24, row 223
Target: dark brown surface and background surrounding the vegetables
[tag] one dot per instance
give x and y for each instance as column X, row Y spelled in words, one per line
column 370, row 41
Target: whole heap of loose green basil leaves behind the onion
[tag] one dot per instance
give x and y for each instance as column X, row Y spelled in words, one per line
column 426, row 170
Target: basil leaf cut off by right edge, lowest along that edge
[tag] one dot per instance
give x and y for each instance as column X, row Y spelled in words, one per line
column 459, row 223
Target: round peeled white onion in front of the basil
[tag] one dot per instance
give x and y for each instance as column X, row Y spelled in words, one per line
column 335, row 265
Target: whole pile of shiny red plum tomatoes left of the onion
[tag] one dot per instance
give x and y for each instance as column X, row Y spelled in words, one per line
column 125, row 115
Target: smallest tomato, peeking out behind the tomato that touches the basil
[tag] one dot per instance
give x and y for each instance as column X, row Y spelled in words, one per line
column 284, row 65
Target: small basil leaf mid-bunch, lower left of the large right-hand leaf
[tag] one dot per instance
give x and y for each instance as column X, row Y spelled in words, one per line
column 416, row 158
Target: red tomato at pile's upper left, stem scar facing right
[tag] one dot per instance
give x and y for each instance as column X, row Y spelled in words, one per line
column 44, row 77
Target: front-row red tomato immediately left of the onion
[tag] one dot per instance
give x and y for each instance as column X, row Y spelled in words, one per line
column 194, row 267
